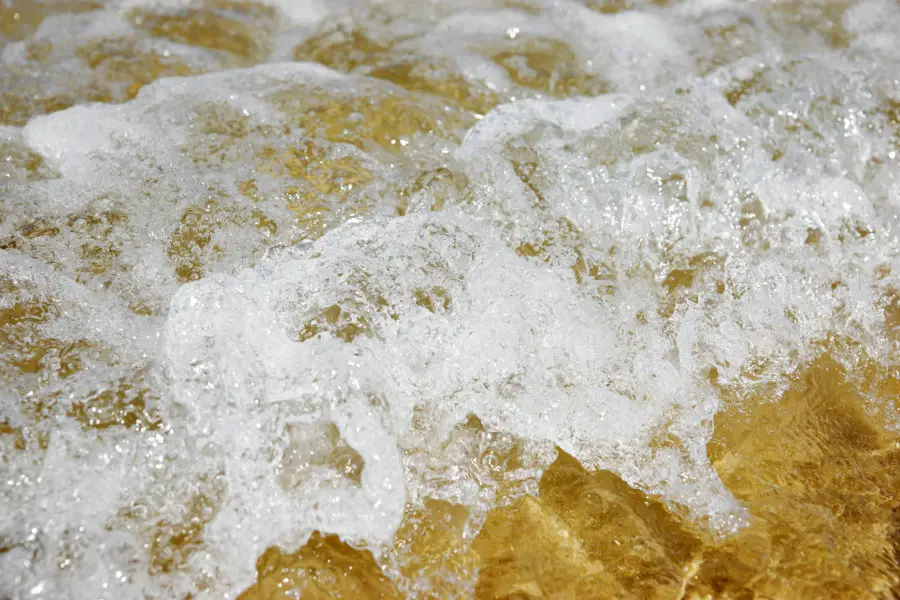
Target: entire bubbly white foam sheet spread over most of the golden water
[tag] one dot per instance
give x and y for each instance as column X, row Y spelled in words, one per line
column 772, row 178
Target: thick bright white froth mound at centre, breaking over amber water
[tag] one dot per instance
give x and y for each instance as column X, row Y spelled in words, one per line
column 516, row 347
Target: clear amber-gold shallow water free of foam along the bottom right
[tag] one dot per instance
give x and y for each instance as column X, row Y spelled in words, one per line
column 821, row 479
